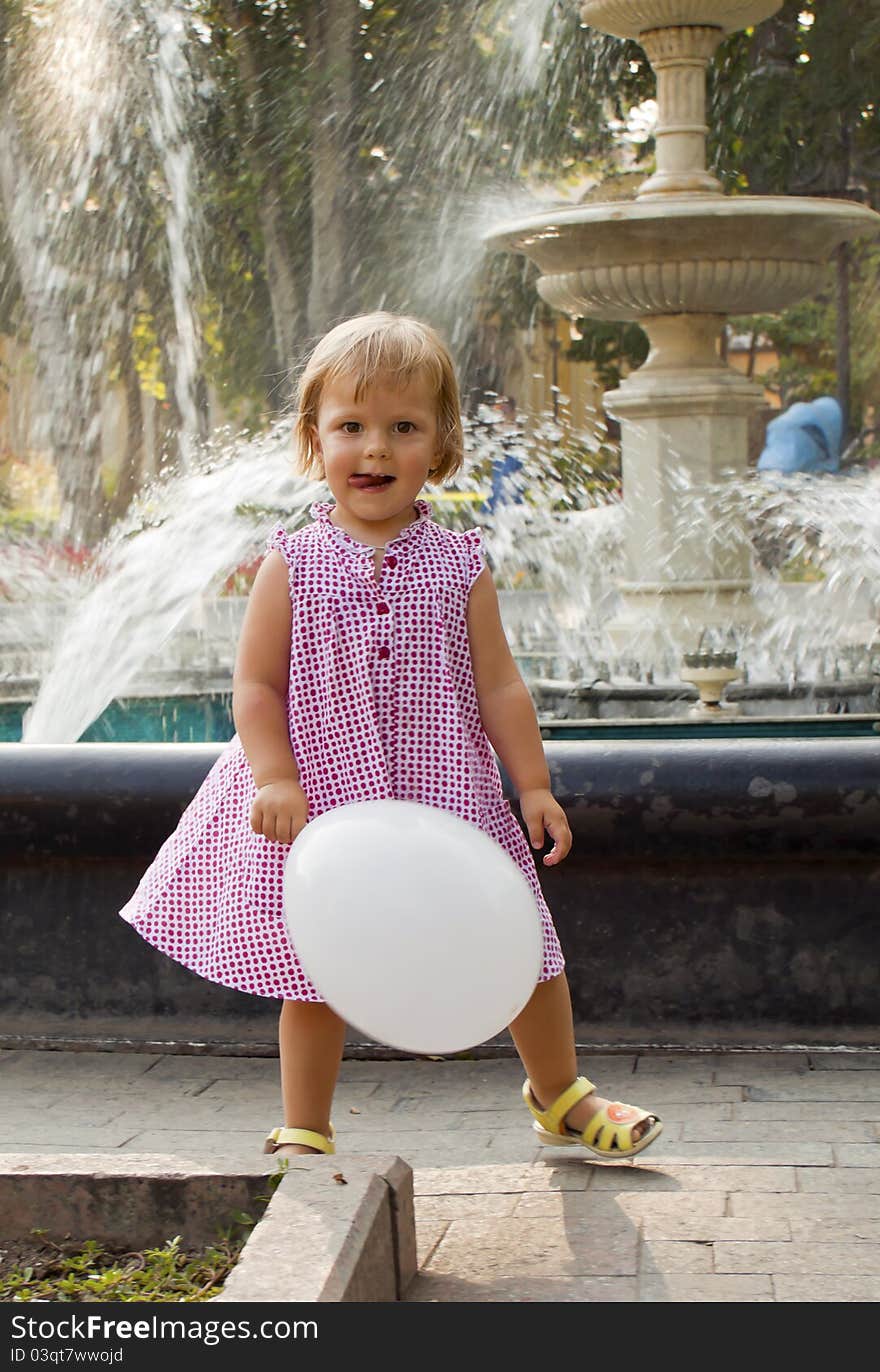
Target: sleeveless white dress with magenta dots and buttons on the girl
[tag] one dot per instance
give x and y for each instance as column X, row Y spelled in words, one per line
column 382, row 707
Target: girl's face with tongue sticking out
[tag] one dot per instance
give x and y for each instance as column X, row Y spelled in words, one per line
column 377, row 452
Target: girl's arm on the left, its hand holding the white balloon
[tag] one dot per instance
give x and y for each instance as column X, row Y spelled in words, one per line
column 260, row 694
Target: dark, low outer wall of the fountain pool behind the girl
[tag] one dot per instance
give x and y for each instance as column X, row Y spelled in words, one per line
column 713, row 884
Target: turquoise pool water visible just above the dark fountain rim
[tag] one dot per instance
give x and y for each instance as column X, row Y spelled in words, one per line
column 208, row 720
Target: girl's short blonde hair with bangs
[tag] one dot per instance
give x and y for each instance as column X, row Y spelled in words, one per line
column 373, row 346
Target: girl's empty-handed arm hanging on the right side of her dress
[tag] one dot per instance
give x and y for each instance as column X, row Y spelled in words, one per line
column 510, row 721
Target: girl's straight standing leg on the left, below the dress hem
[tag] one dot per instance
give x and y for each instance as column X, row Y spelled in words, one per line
column 311, row 1043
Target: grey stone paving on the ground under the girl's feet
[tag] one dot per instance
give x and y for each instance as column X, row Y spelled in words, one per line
column 764, row 1187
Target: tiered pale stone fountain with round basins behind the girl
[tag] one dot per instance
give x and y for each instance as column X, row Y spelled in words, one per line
column 679, row 259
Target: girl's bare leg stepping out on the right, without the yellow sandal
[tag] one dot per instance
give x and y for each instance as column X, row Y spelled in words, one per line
column 544, row 1038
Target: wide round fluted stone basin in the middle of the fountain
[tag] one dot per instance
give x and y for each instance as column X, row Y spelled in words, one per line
column 691, row 255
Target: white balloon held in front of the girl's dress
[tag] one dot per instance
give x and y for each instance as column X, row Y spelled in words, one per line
column 415, row 925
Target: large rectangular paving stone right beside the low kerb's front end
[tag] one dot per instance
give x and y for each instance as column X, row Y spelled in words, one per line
column 513, row 1248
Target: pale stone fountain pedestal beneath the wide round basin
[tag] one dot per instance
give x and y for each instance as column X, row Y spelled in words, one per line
column 684, row 419
